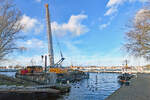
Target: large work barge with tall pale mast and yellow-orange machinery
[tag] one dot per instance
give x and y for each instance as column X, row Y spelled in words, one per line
column 53, row 73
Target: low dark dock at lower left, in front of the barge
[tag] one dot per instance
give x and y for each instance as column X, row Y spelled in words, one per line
column 15, row 85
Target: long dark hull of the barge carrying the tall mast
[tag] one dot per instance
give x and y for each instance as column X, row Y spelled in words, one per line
column 52, row 78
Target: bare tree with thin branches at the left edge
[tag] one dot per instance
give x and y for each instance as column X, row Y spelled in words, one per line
column 9, row 27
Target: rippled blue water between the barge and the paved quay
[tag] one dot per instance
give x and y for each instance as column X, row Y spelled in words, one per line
column 97, row 87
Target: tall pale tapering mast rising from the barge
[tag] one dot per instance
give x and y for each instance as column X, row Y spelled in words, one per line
column 49, row 36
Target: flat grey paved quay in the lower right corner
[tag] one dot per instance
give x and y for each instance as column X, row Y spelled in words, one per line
column 138, row 89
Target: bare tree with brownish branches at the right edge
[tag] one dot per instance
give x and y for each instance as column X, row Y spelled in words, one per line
column 138, row 36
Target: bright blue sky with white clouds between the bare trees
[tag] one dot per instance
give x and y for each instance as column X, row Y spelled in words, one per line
column 90, row 32
